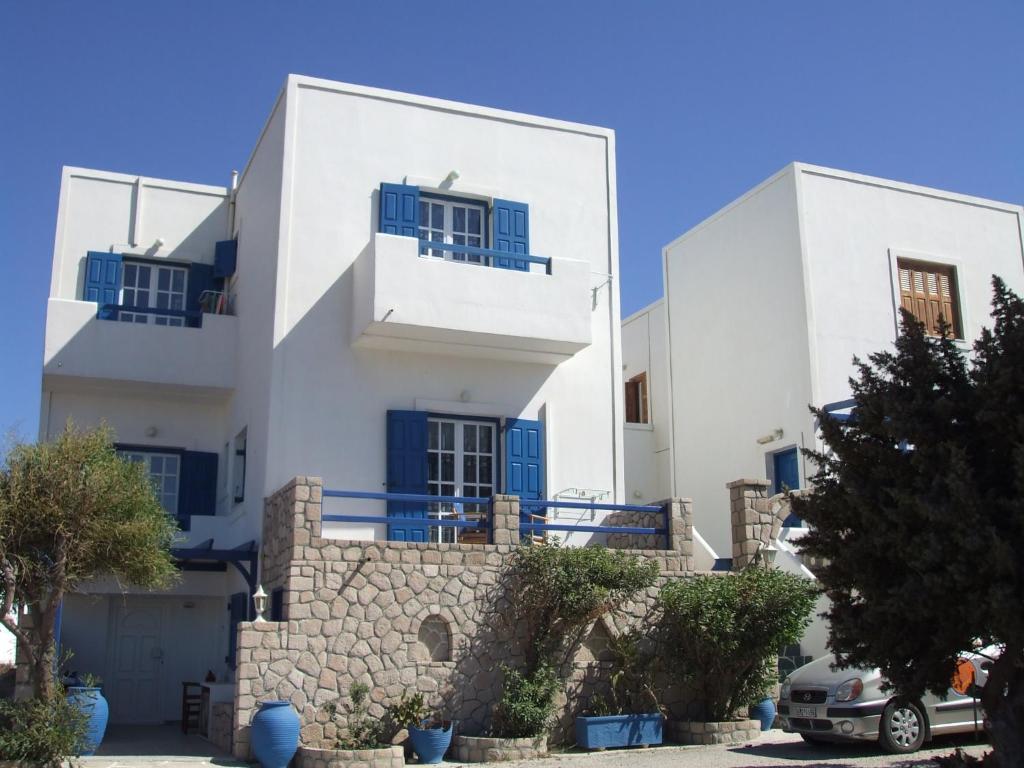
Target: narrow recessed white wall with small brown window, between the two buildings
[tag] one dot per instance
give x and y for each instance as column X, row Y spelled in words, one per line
column 649, row 455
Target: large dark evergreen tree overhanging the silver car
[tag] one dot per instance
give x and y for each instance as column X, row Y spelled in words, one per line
column 918, row 513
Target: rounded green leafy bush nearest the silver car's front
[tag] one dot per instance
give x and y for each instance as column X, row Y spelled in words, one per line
column 720, row 633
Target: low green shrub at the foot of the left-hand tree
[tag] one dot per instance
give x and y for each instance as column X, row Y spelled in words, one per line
column 41, row 732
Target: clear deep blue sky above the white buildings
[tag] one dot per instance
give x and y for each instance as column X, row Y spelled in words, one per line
column 708, row 99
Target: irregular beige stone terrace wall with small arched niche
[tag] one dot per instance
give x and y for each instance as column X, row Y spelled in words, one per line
column 380, row 613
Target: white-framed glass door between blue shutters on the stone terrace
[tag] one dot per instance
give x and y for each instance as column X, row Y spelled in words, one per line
column 461, row 461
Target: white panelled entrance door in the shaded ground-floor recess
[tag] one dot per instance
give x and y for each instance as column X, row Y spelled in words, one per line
column 138, row 663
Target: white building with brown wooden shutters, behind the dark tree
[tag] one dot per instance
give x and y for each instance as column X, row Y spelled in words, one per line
column 767, row 302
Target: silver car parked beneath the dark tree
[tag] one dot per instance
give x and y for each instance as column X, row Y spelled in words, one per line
column 823, row 705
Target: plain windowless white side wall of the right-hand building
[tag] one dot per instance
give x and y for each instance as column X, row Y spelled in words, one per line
column 739, row 362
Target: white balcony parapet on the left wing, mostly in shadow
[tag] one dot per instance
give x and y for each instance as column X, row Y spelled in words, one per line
column 81, row 350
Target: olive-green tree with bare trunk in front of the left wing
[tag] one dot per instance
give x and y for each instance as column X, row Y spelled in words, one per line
column 73, row 510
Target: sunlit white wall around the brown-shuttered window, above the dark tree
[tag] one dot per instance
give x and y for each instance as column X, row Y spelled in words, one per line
column 851, row 221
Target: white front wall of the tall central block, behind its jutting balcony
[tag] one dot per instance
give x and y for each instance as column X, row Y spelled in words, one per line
column 330, row 399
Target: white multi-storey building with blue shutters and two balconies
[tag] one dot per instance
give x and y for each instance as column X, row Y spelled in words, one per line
column 294, row 325
